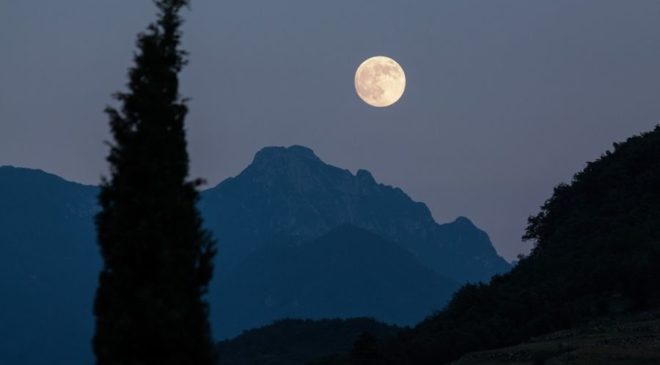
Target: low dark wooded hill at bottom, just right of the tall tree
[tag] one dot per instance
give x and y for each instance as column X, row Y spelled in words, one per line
column 298, row 342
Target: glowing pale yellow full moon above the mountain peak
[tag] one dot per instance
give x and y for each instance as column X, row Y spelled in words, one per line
column 380, row 81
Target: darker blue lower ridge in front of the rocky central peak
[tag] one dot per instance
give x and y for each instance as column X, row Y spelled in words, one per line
column 347, row 272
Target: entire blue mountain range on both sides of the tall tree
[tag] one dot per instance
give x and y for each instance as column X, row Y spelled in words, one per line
column 296, row 238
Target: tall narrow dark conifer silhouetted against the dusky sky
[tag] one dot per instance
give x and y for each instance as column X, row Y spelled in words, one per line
column 150, row 306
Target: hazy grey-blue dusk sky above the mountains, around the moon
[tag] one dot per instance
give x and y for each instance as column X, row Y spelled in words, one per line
column 505, row 99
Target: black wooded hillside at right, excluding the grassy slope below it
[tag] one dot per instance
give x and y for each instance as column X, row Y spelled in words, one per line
column 597, row 253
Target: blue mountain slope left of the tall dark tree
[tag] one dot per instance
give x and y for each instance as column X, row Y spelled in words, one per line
column 48, row 268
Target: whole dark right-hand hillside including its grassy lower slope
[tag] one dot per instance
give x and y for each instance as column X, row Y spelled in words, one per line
column 596, row 255
